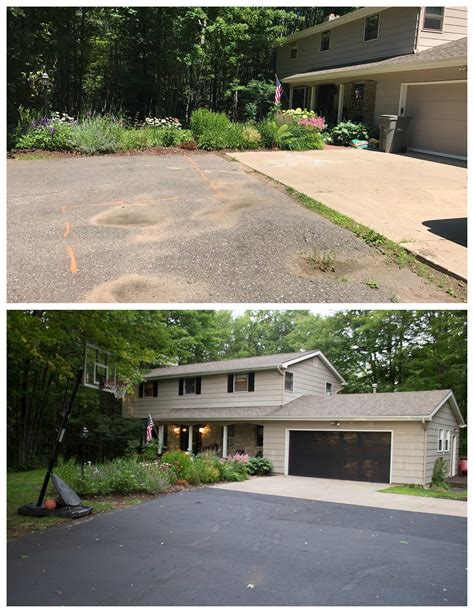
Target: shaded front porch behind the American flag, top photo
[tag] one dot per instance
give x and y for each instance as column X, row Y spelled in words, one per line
column 337, row 101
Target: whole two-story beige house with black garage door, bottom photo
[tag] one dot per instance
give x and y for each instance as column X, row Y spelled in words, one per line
column 288, row 408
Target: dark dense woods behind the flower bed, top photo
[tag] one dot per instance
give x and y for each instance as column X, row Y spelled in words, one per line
column 163, row 61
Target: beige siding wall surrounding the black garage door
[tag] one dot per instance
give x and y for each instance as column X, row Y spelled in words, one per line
column 407, row 444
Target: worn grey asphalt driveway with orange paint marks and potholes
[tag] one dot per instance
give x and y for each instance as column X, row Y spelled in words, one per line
column 181, row 228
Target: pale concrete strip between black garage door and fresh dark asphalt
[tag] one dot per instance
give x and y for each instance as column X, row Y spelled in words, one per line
column 346, row 492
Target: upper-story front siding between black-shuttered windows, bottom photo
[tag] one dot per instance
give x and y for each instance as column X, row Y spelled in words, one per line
column 268, row 392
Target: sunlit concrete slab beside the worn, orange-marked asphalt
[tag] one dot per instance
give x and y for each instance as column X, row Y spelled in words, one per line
column 417, row 201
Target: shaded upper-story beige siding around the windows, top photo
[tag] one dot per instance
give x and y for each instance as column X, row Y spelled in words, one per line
column 397, row 34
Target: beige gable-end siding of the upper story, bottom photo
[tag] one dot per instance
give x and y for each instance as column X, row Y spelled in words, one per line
column 310, row 379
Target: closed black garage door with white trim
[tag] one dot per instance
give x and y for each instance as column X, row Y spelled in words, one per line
column 357, row 456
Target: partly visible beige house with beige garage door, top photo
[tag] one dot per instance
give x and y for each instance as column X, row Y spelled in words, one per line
column 406, row 61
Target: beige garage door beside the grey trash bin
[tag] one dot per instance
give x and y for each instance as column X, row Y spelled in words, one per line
column 438, row 118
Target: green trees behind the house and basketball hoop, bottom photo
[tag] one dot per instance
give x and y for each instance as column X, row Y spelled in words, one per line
column 398, row 350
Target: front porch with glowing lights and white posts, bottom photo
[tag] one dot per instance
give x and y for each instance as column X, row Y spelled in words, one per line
column 222, row 438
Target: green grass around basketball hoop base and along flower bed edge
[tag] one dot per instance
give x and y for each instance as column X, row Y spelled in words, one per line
column 24, row 487
